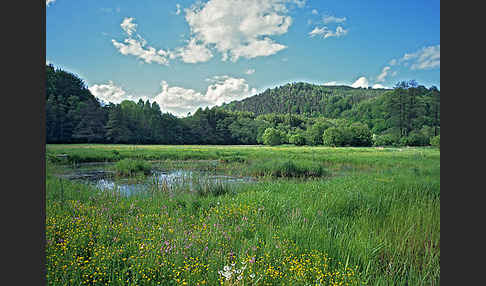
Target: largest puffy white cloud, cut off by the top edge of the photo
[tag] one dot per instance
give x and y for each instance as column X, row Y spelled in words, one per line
column 240, row 28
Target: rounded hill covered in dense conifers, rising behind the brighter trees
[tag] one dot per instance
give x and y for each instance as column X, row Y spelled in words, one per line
column 305, row 98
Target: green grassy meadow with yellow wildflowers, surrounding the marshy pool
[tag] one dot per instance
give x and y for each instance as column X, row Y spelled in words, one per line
column 313, row 216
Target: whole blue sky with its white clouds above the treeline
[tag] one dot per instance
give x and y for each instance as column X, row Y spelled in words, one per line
column 186, row 54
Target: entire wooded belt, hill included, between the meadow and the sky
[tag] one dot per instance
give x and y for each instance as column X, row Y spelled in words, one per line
column 295, row 113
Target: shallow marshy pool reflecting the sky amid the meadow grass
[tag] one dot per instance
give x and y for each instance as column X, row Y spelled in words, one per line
column 99, row 175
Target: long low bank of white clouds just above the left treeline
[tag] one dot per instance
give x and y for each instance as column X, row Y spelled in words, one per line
column 179, row 100
